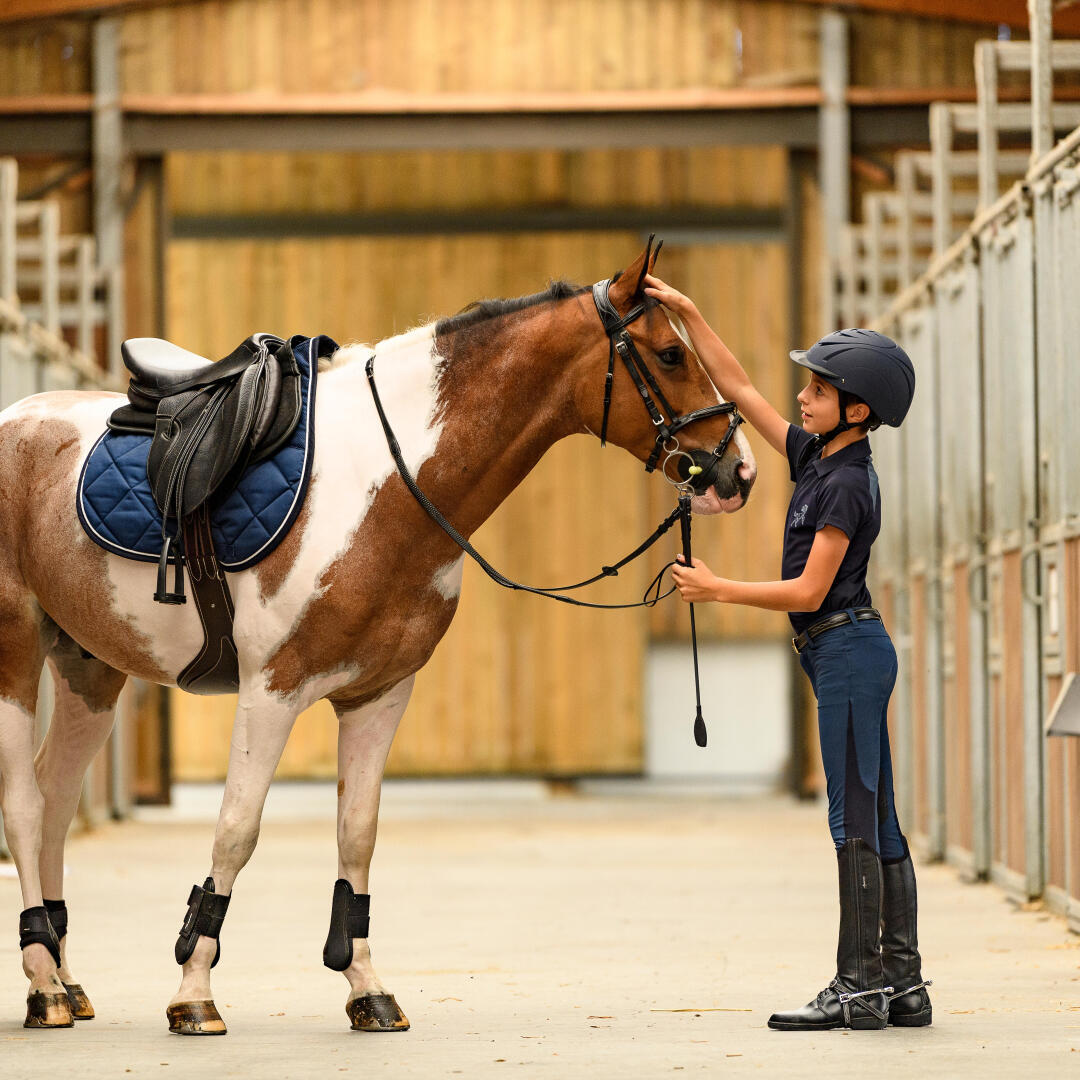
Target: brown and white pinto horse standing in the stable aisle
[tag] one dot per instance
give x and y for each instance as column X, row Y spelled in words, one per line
column 350, row 605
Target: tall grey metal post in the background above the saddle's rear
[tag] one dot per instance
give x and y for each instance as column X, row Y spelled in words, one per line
column 109, row 165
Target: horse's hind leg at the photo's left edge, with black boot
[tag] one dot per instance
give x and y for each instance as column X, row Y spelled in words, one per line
column 24, row 641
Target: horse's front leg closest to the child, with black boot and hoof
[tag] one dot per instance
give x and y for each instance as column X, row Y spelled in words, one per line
column 364, row 739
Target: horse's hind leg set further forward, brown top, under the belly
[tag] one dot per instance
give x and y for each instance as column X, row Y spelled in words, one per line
column 87, row 693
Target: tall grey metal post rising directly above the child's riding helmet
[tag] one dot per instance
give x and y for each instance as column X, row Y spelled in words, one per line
column 835, row 150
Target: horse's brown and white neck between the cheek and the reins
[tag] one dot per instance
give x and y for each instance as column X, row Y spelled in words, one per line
column 484, row 415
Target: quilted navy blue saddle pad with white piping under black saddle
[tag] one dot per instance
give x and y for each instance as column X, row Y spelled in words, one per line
column 117, row 509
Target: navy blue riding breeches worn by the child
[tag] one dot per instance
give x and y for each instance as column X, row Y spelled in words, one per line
column 854, row 670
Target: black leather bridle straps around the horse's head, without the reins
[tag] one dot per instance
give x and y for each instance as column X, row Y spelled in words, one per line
column 620, row 342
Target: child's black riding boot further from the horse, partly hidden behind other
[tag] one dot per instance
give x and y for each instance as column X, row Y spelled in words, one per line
column 909, row 1003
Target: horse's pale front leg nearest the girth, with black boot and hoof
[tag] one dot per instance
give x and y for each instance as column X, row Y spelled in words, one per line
column 260, row 734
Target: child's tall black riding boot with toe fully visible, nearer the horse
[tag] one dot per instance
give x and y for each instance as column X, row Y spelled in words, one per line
column 857, row 996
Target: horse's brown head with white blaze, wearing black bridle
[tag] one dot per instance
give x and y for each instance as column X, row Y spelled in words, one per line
column 647, row 391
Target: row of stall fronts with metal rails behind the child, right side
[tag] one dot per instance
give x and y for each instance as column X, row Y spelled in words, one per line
column 980, row 552
